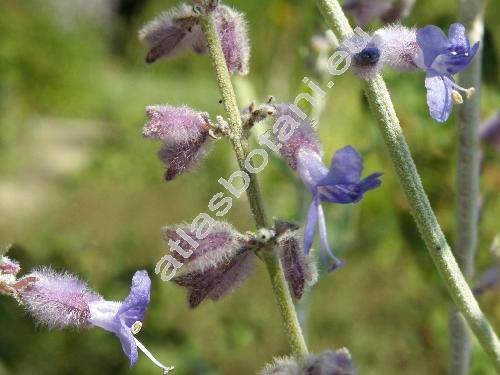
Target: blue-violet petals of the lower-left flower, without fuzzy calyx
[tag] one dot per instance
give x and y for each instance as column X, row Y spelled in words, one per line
column 120, row 317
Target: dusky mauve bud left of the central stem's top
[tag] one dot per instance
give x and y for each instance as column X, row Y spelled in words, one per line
column 173, row 32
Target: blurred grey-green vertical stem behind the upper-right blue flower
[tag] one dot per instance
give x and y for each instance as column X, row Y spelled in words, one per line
column 468, row 170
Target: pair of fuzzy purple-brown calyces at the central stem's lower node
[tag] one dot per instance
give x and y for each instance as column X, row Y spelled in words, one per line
column 224, row 258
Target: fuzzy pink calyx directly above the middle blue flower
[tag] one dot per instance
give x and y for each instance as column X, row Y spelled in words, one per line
column 295, row 134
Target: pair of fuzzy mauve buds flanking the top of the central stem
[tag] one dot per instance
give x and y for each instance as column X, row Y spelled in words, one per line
column 179, row 30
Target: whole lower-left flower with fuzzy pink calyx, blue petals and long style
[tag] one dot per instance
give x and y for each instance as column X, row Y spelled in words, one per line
column 61, row 300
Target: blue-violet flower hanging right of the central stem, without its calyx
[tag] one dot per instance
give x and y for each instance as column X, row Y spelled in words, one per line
column 340, row 184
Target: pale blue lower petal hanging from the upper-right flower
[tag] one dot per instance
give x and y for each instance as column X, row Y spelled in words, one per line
column 439, row 95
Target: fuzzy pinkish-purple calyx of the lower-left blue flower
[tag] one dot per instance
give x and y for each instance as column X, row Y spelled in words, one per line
column 57, row 300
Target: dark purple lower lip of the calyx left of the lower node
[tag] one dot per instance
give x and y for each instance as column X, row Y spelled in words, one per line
column 217, row 281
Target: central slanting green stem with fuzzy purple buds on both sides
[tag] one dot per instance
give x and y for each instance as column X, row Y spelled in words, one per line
column 273, row 264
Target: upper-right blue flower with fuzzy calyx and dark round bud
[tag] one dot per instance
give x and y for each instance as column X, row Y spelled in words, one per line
column 428, row 49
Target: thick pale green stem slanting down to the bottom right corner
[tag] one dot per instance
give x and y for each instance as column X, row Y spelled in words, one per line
column 409, row 179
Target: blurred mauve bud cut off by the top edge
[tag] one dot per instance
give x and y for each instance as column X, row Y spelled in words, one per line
column 389, row 11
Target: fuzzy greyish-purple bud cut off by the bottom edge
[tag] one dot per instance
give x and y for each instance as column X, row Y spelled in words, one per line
column 332, row 362
